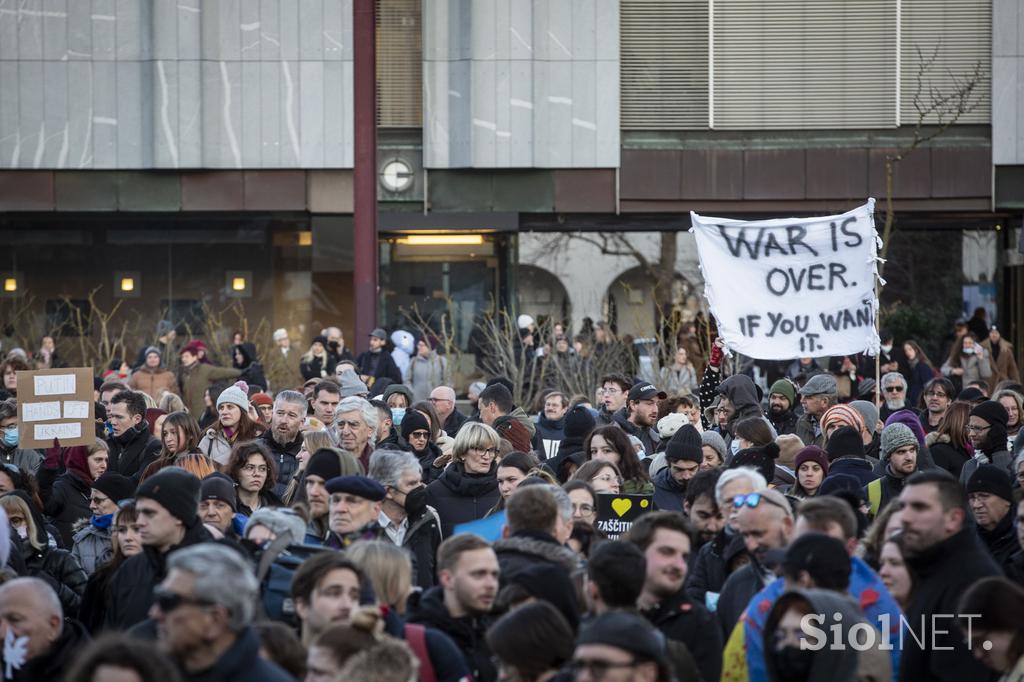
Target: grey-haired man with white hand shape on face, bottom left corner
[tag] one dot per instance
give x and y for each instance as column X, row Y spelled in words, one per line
column 31, row 616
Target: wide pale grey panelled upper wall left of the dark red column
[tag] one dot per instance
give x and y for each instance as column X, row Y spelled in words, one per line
column 140, row 84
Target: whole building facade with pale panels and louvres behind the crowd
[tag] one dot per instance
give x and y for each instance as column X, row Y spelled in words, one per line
column 533, row 155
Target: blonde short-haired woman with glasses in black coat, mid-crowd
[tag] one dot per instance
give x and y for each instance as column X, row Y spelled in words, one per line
column 468, row 487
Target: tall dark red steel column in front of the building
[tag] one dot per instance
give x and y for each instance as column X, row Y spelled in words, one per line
column 365, row 182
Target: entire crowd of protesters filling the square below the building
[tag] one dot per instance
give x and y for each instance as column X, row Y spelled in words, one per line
column 309, row 521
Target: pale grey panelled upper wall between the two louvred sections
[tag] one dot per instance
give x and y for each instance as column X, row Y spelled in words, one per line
column 521, row 84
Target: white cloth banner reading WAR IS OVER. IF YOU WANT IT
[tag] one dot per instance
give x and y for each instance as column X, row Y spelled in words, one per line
column 793, row 288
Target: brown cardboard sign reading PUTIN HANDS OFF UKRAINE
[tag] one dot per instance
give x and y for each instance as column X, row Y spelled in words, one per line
column 56, row 404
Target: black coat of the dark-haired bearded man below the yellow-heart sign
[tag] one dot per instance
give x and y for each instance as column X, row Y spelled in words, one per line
column 681, row 620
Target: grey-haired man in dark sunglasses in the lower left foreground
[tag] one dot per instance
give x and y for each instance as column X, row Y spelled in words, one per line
column 204, row 612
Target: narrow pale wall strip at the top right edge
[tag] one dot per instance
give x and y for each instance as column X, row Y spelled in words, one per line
column 1008, row 82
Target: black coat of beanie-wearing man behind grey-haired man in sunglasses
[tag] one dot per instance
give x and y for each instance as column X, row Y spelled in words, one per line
column 132, row 587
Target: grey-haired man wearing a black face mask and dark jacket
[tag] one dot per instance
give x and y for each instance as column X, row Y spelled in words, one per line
column 407, row 520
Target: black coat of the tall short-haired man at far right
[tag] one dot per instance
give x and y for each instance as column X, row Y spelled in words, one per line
column 945, row 572
